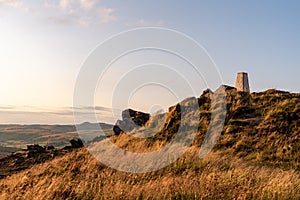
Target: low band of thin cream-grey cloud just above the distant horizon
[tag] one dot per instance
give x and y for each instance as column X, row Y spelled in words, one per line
column 21, row 115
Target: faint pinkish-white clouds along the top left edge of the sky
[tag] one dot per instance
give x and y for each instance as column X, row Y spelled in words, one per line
column 81, row 12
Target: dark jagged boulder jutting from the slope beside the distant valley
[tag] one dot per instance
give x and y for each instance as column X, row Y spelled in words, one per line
column 130, row 119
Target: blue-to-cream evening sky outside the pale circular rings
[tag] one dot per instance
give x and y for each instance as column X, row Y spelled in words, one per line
column 43, row 45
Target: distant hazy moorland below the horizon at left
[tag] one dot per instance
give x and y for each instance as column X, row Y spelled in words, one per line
column 15, row 137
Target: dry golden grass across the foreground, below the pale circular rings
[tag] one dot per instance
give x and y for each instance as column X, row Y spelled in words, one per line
column 79, row 176
